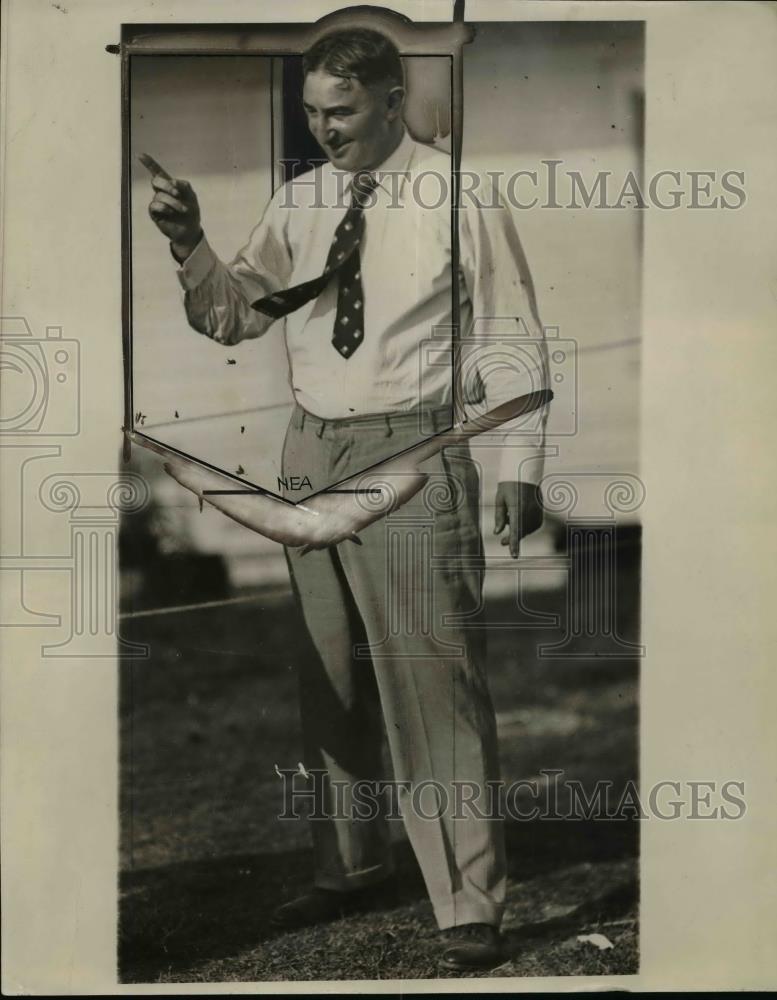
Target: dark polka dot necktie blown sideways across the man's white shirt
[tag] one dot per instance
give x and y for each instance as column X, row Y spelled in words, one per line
column 342, row 260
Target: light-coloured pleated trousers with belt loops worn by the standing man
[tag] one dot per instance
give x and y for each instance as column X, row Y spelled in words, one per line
column 392, row 621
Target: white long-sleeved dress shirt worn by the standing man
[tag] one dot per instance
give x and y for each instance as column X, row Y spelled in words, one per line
column 404, row 360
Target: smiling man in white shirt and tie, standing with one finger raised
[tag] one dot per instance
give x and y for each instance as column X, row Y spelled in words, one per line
column 357, row 261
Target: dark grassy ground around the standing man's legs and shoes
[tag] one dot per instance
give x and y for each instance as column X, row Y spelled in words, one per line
column 204, row 860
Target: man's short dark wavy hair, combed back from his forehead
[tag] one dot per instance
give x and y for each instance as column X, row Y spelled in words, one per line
column 358, row 53
